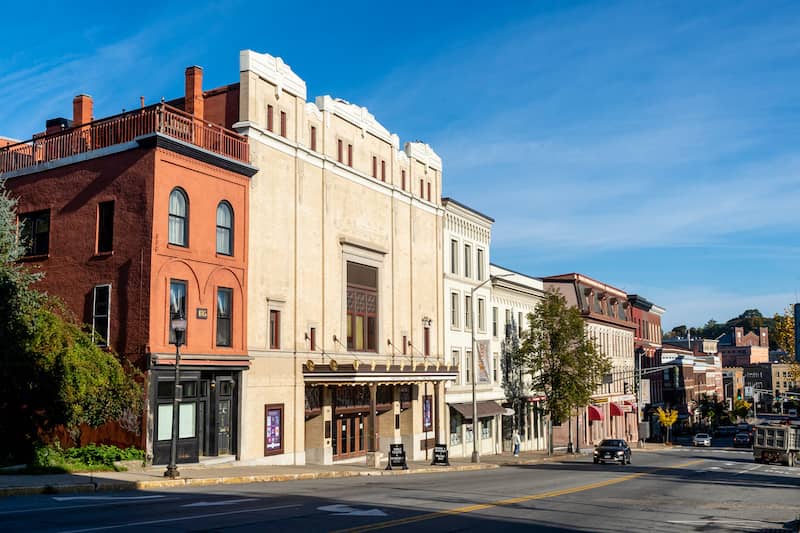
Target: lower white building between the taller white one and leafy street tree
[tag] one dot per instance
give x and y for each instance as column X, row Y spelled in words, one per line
column 514, row 297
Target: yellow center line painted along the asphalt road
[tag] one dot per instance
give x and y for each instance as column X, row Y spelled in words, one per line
column 510, row 501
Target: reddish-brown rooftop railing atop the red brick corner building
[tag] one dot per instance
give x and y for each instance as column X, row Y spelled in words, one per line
column 123, row 128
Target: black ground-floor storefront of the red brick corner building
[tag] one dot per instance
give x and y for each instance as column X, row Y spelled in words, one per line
column 208, row 413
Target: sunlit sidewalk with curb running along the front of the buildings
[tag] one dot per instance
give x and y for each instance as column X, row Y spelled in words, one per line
column 235, row 473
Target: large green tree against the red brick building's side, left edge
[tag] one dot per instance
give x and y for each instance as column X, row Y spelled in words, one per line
column 51, row 373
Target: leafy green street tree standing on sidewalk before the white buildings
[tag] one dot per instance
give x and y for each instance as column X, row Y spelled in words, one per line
column 564, row 363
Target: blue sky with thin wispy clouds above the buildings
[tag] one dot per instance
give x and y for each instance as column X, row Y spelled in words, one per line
column 649, row 145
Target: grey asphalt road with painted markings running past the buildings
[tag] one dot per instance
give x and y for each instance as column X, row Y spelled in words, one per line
column 688, row 489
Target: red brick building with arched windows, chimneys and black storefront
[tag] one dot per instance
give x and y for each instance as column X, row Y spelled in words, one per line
column 135, row 219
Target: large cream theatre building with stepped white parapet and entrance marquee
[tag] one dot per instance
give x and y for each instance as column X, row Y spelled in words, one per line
column 345, row 288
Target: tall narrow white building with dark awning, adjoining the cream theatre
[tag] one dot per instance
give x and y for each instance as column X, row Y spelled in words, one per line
column 466, row 238
